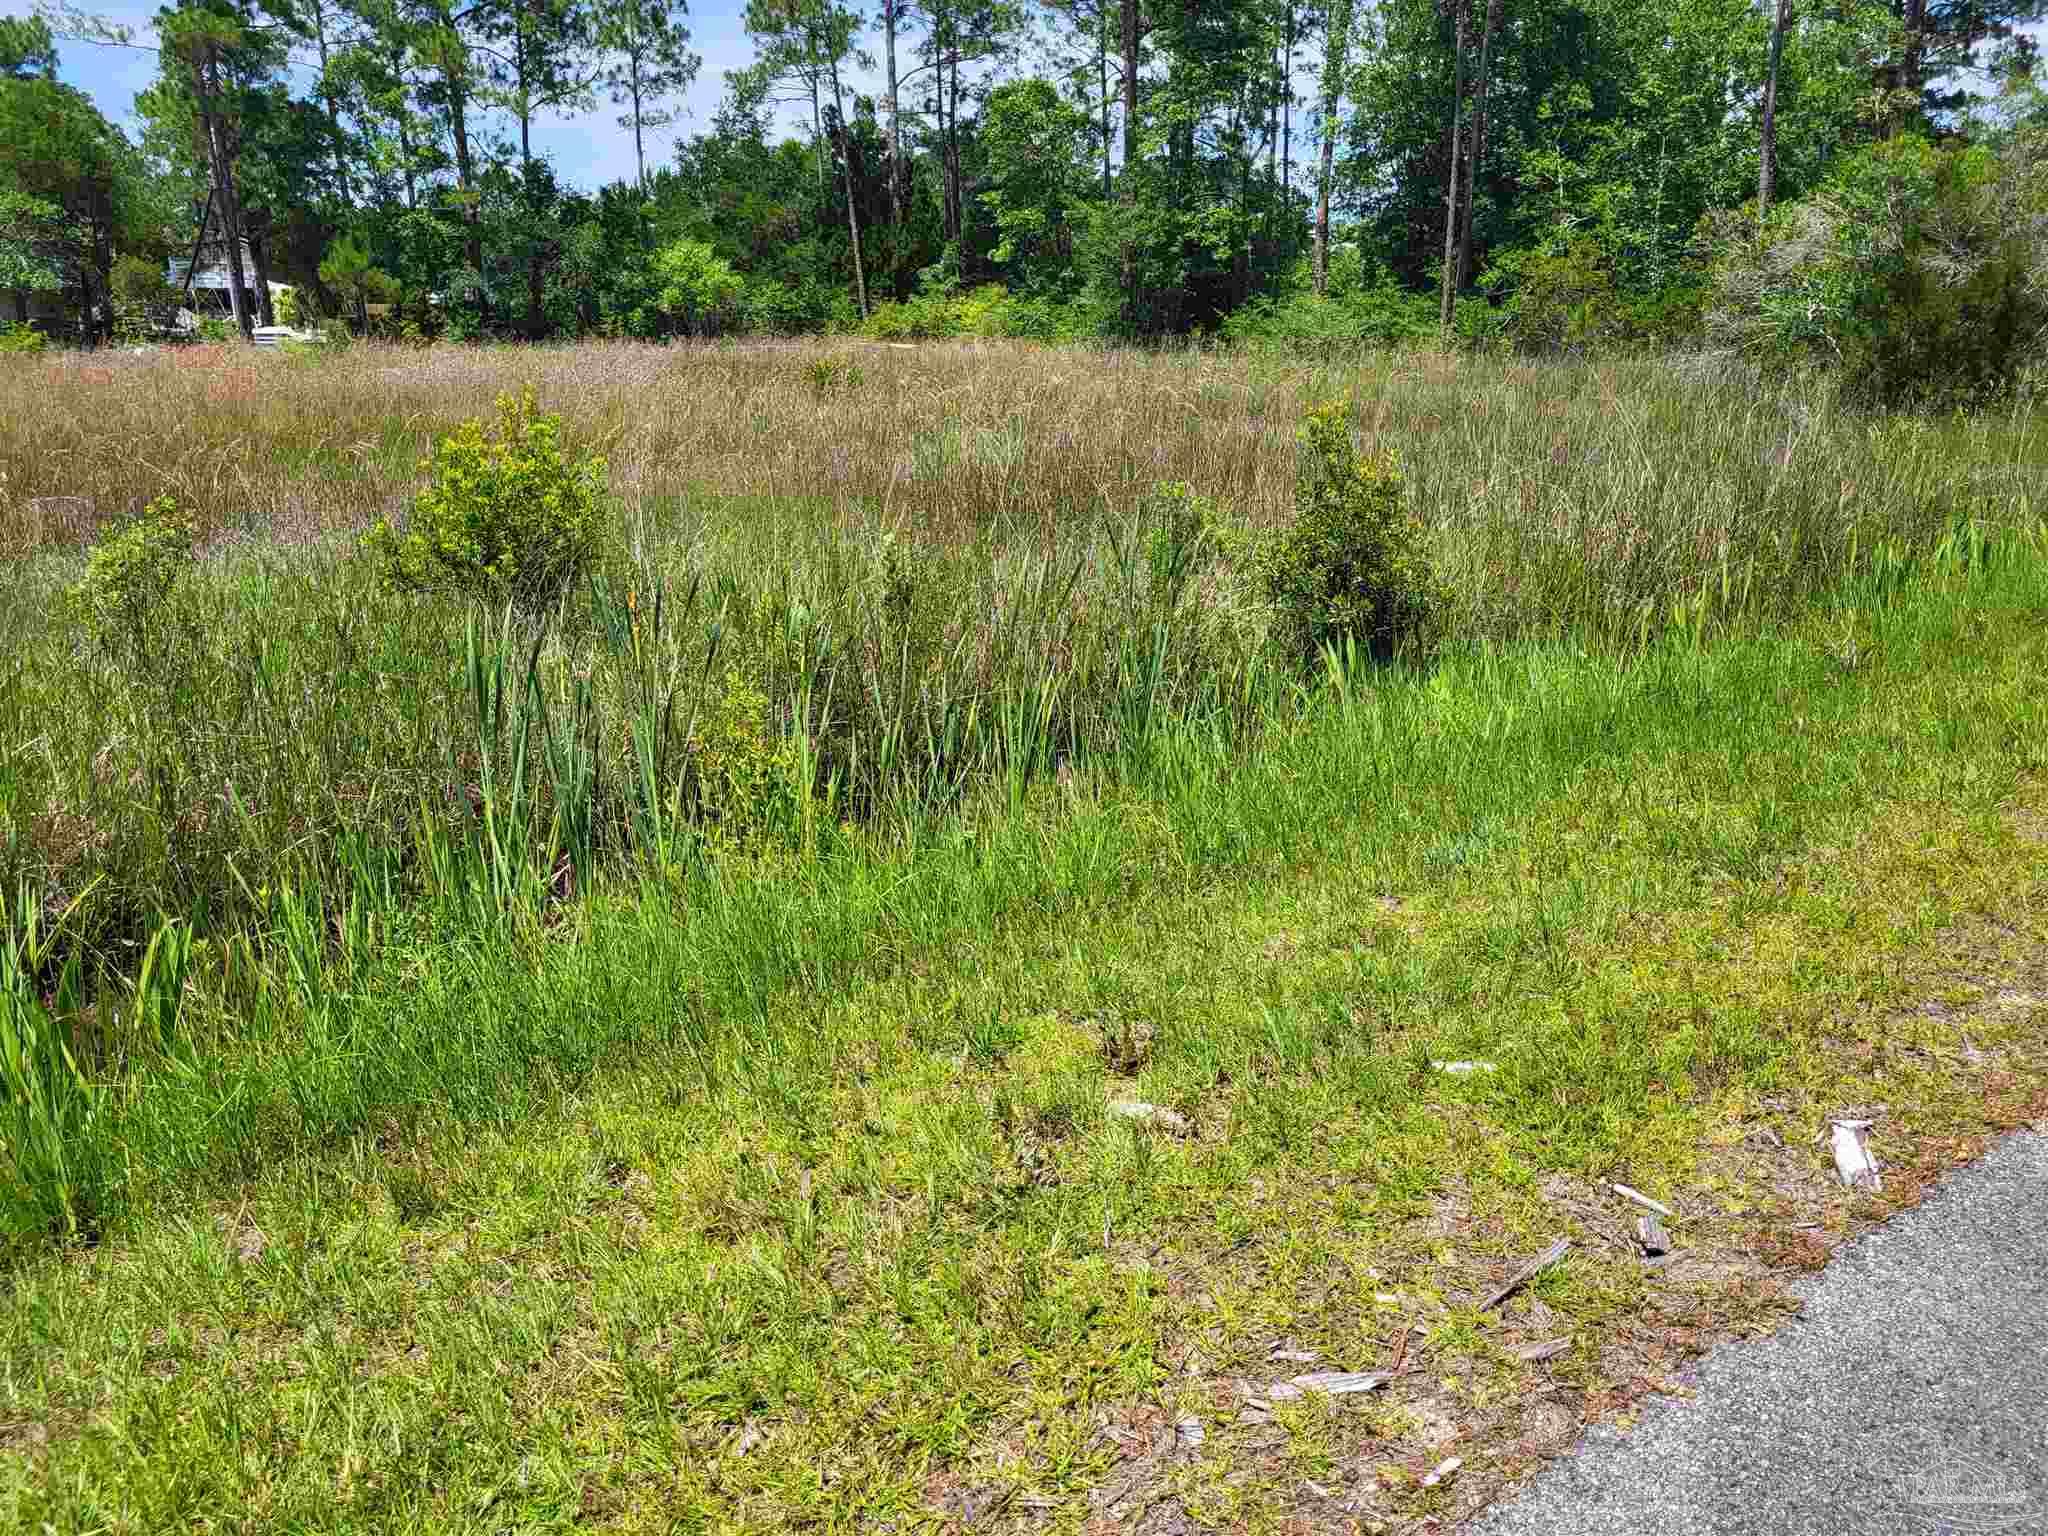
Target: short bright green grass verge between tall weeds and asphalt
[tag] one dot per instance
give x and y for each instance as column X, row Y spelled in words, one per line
column 783, row 1191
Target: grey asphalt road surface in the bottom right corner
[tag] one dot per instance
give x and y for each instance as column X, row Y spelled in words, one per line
column 1910, row 1398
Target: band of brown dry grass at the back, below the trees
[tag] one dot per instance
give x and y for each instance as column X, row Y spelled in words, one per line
column 1560, row 493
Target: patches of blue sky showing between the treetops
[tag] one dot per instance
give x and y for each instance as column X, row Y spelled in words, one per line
column 587, row 151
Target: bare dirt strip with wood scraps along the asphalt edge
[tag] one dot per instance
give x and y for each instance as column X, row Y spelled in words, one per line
column 1463, row 1422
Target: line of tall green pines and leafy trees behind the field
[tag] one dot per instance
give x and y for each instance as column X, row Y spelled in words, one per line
column 1041, row 167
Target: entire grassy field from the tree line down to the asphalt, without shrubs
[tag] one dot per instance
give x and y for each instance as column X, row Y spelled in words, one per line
column 454, row 1170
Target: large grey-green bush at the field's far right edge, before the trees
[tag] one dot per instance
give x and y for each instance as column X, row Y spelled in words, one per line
column 1914, row 271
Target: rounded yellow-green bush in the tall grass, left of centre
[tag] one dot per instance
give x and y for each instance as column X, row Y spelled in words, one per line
column 509, row 515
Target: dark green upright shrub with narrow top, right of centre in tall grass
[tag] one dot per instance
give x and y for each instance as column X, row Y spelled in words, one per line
column 1353, row 564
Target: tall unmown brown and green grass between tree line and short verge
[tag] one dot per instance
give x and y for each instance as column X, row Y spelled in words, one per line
column 916, row 579
